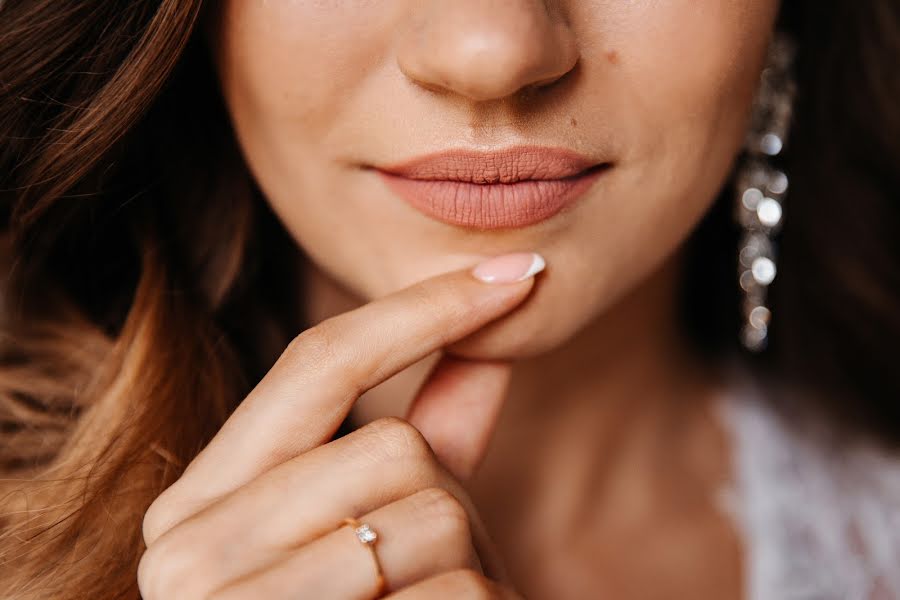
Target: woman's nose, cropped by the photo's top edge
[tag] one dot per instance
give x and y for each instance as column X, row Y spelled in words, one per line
column 486, row 49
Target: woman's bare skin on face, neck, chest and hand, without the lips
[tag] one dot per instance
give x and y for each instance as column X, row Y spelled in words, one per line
column 591, row 415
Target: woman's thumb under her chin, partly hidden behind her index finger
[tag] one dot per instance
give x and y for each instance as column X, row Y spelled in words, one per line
column 457, row 407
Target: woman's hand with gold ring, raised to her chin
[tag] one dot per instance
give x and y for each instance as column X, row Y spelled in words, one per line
column 257, row 513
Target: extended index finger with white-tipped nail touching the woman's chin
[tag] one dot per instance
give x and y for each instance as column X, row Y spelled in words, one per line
column 302, row 400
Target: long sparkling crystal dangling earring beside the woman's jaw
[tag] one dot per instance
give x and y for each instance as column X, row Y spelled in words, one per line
column 761, row 188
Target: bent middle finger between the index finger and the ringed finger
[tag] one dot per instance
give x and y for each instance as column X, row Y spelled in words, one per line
column 299, row 501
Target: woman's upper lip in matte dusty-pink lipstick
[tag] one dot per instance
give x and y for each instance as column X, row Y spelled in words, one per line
column 509, row 165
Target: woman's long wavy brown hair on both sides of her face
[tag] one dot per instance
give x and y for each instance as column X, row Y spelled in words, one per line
column 135, row 316
